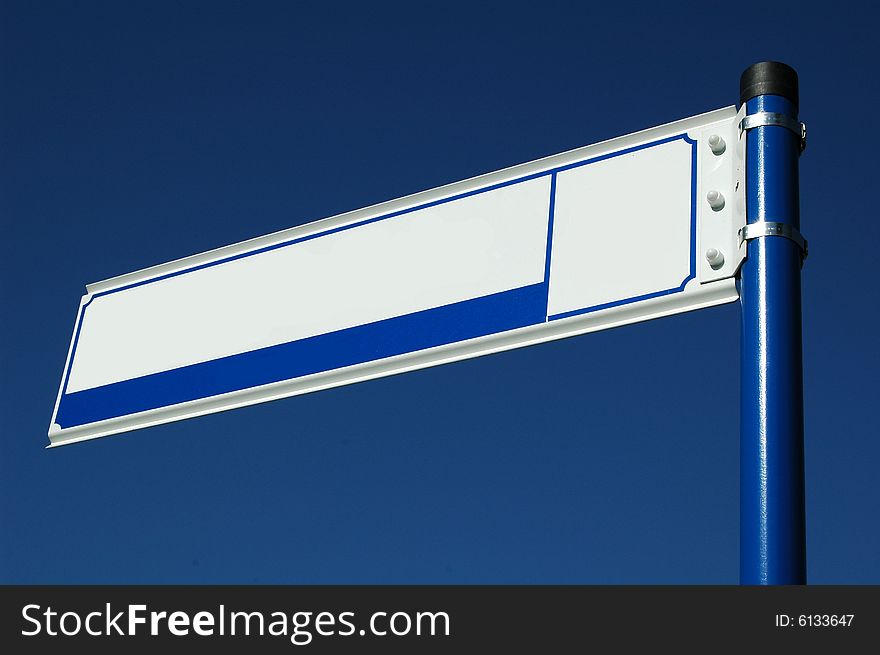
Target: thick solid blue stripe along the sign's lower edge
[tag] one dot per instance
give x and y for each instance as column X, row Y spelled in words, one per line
column 468, row 319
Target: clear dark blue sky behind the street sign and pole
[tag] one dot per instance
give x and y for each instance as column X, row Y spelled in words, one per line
column 136, row 133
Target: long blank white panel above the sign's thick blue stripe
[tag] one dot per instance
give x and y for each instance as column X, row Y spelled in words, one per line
column 479, row 245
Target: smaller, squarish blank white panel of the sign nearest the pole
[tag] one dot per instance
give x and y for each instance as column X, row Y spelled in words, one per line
column 645, row 197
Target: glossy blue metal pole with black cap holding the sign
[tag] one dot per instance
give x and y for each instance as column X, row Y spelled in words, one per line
column 772, row 540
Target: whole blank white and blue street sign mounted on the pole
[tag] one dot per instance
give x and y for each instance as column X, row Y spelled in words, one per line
column 627, row 230
